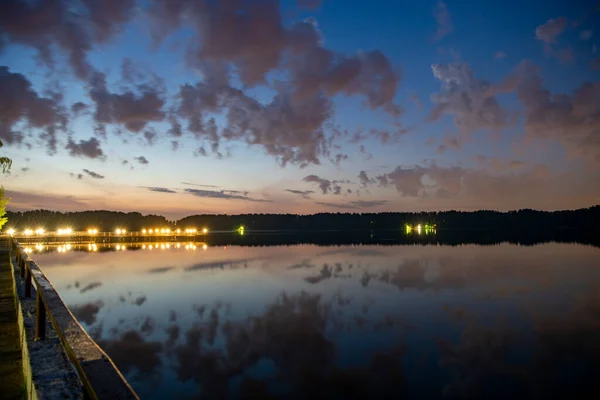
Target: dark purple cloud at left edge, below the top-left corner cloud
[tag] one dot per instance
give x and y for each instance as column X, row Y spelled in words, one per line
column 21, row 104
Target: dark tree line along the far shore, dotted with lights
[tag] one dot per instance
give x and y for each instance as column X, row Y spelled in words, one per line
column 106, row 221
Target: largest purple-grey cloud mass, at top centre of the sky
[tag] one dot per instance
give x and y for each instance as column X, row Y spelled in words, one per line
column 252, row 40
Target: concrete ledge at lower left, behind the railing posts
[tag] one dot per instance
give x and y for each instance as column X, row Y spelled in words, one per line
column 47, row 371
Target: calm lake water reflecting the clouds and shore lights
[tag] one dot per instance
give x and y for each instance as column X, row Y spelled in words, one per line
column 359, row 321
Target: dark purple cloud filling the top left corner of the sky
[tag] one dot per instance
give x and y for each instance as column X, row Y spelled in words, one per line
column 62, row 26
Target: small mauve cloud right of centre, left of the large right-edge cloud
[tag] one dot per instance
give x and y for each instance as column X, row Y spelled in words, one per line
column 470, row 101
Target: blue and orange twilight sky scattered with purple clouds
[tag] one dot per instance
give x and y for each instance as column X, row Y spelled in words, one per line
column 180, row 107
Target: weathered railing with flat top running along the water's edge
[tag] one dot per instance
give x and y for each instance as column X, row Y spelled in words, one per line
column 100, row 377
